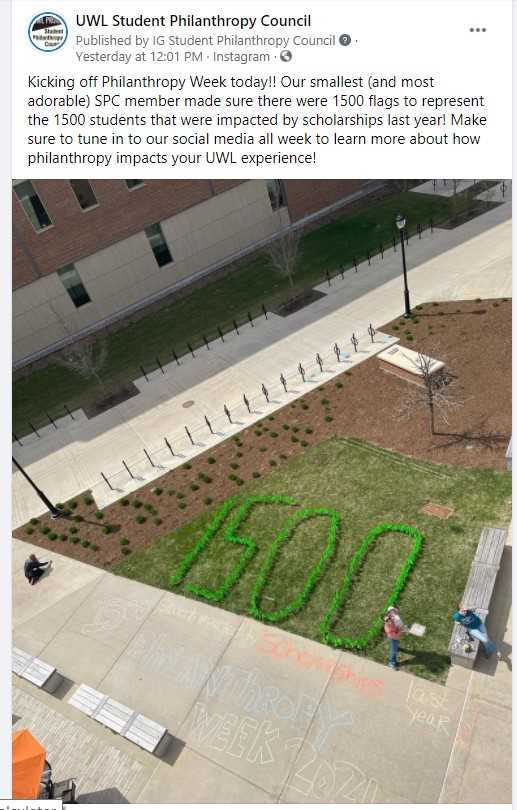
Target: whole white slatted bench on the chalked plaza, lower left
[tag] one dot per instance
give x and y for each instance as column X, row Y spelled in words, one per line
column 120, row 718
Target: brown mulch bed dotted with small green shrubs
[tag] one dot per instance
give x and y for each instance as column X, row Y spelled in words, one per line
column 472, row 337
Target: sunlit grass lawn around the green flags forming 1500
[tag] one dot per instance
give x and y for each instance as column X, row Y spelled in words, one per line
column 366, row 486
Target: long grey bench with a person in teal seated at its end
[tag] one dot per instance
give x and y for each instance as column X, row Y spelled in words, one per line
column 478, row 593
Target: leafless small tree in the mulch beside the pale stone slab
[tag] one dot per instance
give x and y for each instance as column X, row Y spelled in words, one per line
column 436, row 394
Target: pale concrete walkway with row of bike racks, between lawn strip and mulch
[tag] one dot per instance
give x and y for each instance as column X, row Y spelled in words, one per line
column 469, row 261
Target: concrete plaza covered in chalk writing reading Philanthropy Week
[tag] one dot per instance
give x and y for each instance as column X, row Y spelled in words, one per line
column 257, row 715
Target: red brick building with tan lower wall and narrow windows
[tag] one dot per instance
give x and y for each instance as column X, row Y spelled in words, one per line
column 88, row 252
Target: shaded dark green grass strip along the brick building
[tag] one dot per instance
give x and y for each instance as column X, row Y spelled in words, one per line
column 186, row 319
